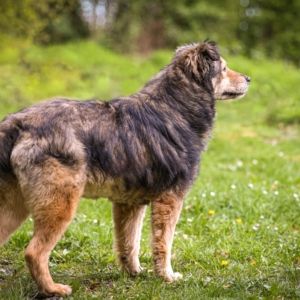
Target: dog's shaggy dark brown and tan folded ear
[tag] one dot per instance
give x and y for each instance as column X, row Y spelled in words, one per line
column 197, row 59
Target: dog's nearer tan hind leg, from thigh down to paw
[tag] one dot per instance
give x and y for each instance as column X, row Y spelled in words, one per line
column 52, row 192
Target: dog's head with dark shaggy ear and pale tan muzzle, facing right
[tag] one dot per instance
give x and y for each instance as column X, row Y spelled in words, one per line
column 202, row 64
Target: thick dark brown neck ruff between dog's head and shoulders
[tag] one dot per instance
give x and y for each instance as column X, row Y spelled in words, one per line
column 193, row 102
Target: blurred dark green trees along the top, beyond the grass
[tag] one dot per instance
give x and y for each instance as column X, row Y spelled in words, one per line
column 251, row 27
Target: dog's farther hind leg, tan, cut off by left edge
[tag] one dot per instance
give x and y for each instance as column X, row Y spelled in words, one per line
column 12, row 213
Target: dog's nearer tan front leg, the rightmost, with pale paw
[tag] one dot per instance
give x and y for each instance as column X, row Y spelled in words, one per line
column 165, row 213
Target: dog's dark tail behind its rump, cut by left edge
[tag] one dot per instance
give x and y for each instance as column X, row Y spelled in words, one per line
column 9, row 133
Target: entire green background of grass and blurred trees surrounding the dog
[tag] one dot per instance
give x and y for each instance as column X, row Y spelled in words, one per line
column 239, row 232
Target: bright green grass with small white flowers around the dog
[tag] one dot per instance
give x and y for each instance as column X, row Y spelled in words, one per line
column 238, row 236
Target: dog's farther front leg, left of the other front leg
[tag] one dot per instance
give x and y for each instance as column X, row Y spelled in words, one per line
column 128, row 220
